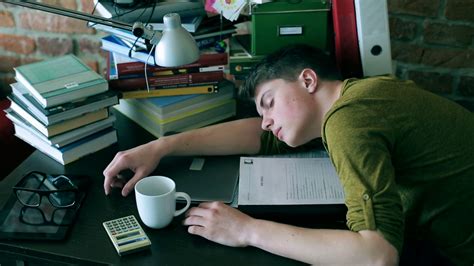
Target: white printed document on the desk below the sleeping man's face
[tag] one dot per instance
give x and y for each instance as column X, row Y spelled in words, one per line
column 288, row 181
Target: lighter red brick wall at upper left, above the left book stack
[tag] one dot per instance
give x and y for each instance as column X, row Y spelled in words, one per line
column 28, row 35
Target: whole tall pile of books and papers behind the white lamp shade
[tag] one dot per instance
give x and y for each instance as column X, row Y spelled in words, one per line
column 165, row 100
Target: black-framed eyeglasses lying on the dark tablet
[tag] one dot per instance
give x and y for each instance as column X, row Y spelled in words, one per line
column 59, row 190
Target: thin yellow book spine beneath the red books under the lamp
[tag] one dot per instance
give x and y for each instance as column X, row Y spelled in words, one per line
column 169, row 92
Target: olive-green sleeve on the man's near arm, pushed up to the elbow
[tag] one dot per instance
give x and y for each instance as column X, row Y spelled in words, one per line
column 359, row 144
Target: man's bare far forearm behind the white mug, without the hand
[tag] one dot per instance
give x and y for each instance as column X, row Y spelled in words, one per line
column 235, row 137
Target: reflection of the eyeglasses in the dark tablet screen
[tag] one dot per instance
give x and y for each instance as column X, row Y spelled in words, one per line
column 36, row 216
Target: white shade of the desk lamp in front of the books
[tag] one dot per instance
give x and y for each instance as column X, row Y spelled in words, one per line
column 177, row 47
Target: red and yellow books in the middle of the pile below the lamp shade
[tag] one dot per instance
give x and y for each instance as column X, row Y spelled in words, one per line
column 127, row 76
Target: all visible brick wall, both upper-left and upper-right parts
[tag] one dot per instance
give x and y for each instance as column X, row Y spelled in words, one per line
column 432, row 41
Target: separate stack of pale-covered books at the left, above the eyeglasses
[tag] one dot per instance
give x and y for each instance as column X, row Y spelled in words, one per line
column 61, row 107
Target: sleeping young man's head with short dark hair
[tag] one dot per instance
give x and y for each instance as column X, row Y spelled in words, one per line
column 283, row 87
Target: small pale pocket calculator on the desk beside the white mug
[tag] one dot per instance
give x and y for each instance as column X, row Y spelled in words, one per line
column 127, row 235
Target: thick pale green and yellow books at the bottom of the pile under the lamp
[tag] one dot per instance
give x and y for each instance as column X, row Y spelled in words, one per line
column 168, row 115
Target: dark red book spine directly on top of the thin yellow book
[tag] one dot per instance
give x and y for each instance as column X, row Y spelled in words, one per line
column 172, row 80
